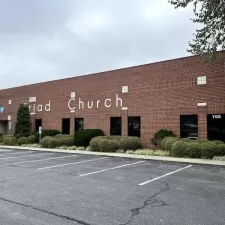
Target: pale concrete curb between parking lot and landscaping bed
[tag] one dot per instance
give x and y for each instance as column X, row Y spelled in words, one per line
column 157, row 158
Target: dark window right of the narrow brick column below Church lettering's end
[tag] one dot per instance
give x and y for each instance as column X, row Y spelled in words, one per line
column 134, row 126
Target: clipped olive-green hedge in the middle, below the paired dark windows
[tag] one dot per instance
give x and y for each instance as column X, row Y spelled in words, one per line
column 114, row 143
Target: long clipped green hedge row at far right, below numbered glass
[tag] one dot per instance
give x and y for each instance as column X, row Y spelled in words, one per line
column 193, row 148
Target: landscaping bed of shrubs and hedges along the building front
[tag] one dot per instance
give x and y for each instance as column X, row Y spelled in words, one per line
column 95, row 140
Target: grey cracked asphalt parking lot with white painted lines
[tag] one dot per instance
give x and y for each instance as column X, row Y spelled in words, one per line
column 45, row 188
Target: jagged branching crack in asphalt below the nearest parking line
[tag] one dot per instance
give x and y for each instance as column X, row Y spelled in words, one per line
column 152, row 201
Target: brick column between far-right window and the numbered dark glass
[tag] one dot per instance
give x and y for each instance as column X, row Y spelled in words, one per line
column 202, row 123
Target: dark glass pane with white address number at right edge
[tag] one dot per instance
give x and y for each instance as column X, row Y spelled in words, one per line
column 216, row 127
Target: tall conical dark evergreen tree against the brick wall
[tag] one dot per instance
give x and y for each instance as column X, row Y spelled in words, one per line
column 23, row 123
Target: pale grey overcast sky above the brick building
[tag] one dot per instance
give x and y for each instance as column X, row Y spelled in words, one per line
column 42, row 40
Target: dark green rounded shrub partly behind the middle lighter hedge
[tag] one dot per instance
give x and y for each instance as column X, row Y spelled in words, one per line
column 83, row 137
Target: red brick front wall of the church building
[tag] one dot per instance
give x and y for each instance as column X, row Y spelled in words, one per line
column 158, row 92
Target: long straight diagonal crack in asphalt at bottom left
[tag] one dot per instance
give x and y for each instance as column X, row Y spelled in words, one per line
column 47, row 212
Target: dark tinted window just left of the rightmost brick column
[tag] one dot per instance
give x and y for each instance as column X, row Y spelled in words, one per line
column 189, row 126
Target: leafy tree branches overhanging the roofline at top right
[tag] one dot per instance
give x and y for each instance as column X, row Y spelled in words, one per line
column 211, row 14
